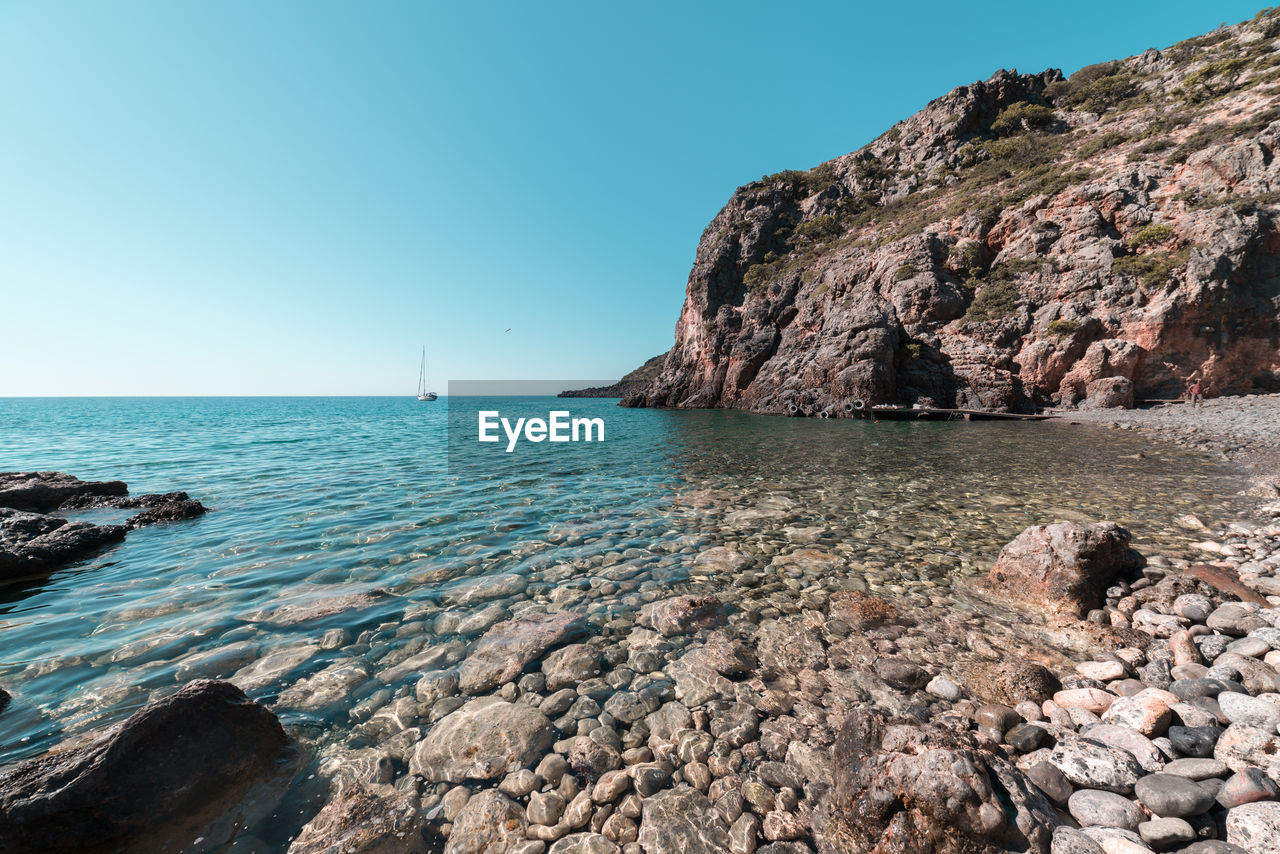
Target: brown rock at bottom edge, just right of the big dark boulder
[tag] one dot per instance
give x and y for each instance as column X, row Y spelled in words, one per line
column 360, row 820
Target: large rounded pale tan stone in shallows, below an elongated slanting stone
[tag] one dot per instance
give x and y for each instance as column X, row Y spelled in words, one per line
column 484, row 739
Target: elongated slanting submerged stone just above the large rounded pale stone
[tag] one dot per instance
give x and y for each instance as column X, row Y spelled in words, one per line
column 505, row 651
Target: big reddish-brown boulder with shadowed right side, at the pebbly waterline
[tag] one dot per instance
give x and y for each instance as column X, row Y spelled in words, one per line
column 1064, row 569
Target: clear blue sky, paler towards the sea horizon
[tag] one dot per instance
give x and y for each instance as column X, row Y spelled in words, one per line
column 245, row 198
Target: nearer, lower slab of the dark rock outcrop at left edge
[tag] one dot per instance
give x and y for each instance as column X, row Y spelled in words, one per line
column 34, row 545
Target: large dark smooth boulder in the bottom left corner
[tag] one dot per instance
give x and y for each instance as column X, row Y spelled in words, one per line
column 198, row 765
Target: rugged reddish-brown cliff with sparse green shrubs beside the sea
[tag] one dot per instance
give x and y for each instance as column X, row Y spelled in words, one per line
column 1021, row 243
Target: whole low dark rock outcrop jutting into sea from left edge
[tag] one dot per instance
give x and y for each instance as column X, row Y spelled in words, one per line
column 36, row 538
